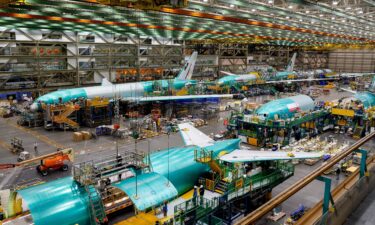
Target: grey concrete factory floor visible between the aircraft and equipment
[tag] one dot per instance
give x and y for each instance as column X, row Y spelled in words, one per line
column 49, row 141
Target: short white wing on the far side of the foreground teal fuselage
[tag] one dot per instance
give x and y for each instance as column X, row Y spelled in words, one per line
column 193, row 136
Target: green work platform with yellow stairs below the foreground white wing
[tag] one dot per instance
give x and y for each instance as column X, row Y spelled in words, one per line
column 239, row 193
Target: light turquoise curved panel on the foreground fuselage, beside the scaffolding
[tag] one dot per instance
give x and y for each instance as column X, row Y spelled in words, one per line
column 153, row 190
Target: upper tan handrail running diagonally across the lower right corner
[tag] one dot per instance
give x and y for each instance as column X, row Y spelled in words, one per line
column 261, row 211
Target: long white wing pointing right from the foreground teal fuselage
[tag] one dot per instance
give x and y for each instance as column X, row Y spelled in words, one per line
column 252, row 156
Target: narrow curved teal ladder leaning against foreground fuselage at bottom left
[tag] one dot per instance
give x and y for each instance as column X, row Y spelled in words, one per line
column 97, row 212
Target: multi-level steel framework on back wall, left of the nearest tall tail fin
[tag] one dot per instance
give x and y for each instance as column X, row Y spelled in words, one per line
column 37, row 60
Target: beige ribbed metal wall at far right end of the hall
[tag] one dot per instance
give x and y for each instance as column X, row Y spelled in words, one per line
column 351, row 60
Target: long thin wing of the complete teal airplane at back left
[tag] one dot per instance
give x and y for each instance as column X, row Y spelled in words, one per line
column 173, row 98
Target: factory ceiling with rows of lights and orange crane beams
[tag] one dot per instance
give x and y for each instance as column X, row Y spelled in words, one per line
column 293, row 22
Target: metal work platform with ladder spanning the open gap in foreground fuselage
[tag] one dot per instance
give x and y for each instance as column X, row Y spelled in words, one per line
column 94, row 177
